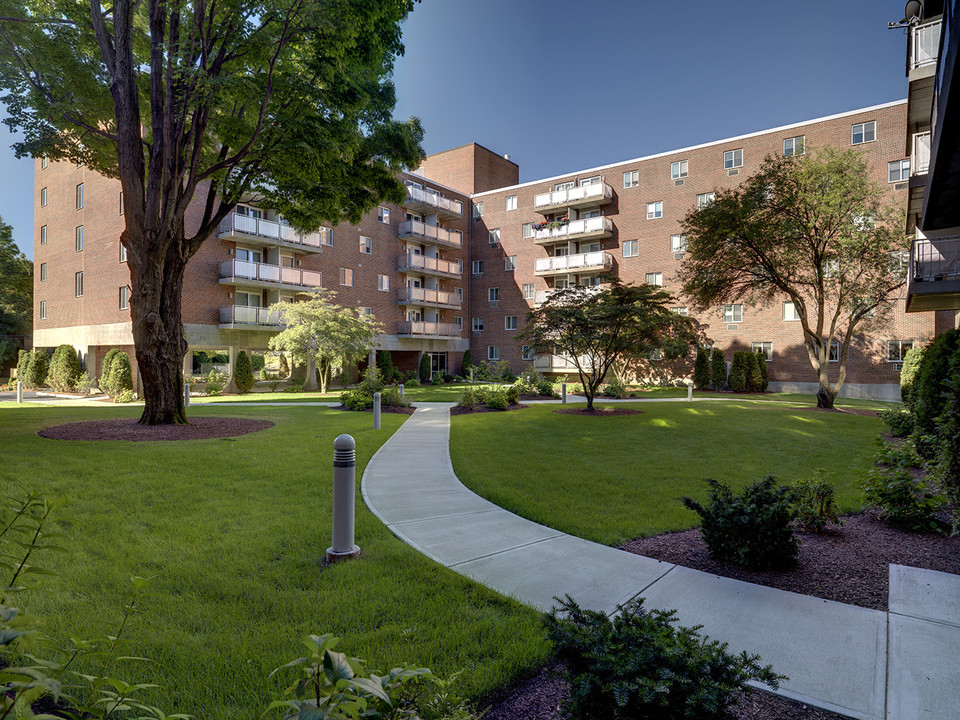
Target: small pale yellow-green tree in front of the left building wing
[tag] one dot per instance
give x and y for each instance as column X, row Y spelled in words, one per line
column 321, row 334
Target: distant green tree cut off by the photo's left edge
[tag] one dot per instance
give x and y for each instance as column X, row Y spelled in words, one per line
column 16, row 295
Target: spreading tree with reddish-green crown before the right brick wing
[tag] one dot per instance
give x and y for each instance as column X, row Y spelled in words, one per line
column 809, row 229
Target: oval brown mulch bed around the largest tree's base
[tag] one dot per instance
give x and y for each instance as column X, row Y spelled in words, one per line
column 199, row 428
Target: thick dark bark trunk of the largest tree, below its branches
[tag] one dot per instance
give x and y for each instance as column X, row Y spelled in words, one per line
column 158, row 337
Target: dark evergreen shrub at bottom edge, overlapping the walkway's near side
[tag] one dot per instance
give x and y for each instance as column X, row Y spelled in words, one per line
column 642, row 665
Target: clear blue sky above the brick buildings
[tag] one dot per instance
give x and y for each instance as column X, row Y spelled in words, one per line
column 564, row 85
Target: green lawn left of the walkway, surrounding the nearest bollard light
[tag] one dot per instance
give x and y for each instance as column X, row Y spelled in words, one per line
column 233, row 531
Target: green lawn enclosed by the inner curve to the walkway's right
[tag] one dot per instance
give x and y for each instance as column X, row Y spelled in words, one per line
column 610, row 479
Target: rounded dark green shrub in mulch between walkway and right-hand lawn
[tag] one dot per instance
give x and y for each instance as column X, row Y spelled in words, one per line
column 751, row 529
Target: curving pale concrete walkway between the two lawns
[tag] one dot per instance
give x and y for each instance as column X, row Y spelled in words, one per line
column 866, row 664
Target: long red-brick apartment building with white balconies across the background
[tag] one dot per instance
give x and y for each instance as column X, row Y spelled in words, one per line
column 463, row 260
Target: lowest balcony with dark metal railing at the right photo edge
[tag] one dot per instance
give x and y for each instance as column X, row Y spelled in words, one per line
column 933, row 277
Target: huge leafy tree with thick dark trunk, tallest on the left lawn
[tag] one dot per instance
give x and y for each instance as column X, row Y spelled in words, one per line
column 283, row 102
